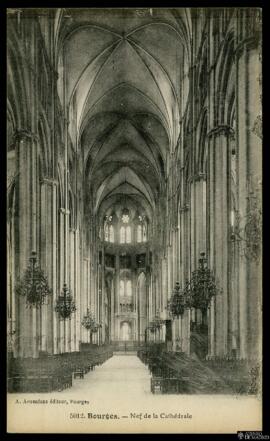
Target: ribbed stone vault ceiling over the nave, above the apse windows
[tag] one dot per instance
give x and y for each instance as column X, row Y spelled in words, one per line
column 122, row 75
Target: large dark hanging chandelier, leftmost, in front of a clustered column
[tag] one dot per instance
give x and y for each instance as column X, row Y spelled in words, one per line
column 33, row 285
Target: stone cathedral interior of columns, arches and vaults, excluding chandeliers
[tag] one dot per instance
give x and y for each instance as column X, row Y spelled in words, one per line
column 134, row 144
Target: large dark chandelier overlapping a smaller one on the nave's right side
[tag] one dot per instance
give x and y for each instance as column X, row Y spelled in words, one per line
column 202, row 286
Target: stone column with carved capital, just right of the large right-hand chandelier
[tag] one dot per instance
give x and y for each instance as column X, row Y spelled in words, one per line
column 219, row 229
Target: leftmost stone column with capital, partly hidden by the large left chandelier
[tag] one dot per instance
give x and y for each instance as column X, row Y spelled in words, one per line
column 26, row 233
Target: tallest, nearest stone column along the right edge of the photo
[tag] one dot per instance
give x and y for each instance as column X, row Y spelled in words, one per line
column 249, row 146
